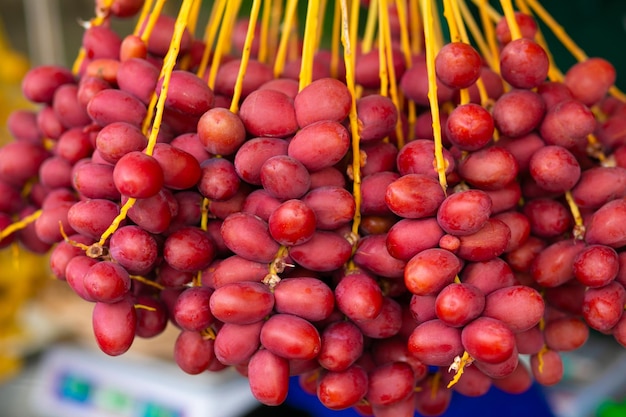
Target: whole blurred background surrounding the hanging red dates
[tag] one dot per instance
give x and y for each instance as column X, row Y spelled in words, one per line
column 50, row 366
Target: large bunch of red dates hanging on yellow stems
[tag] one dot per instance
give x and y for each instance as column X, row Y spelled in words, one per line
column 389, row 211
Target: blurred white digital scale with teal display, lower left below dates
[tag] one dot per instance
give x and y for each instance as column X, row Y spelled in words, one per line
column 75, row 382
